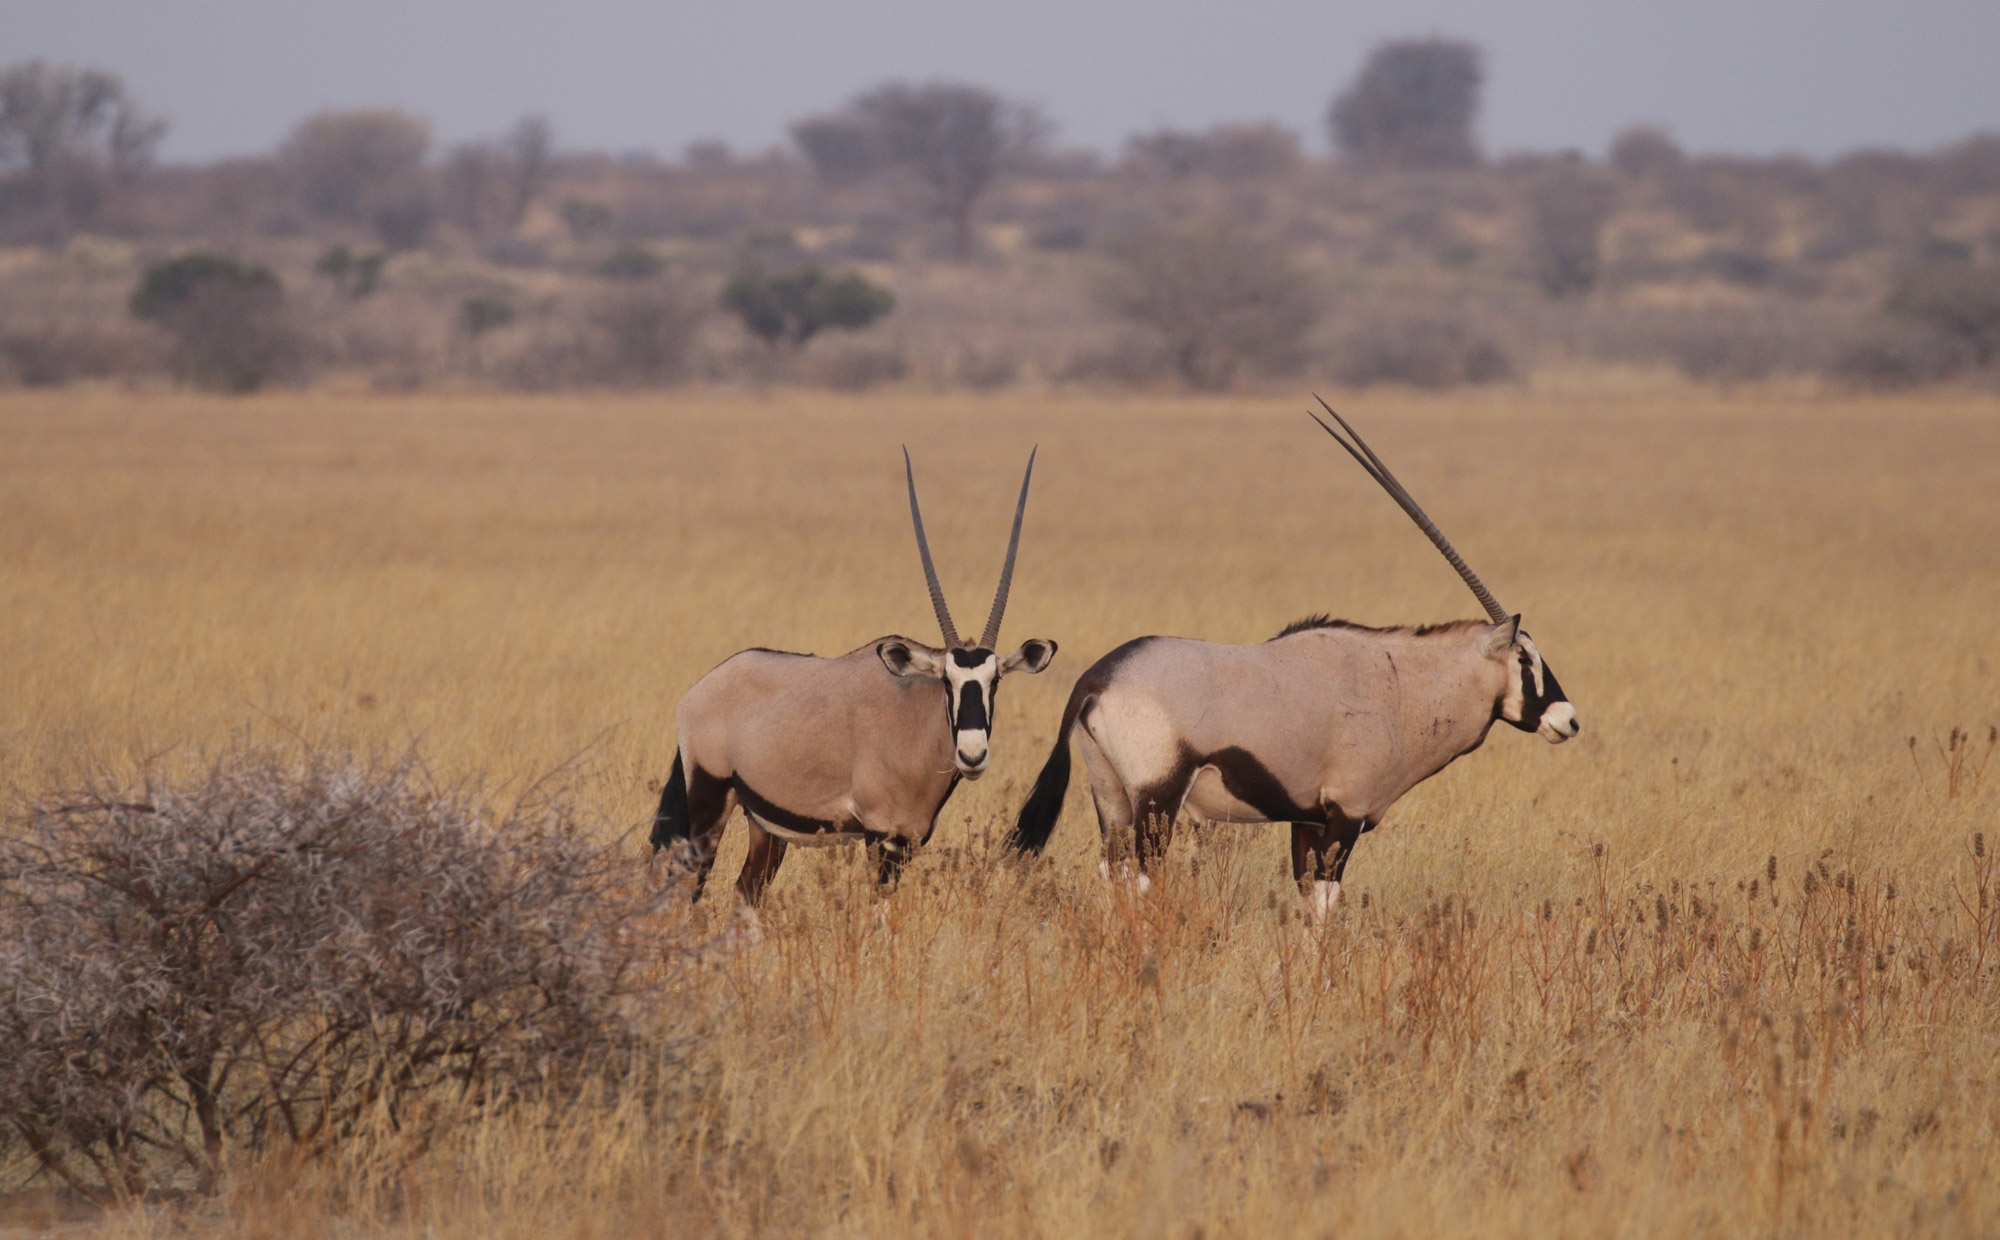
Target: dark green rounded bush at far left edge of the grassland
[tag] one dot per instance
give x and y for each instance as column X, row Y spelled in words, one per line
column 227, row 321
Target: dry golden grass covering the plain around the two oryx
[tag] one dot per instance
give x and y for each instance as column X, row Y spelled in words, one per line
column 1755, row 601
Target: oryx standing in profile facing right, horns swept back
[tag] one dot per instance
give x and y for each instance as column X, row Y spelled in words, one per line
column 1323, row 727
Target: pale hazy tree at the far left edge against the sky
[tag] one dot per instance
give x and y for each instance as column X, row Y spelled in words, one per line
column 69, row 135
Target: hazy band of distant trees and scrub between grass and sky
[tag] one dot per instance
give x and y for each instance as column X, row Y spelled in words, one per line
column 941, row 235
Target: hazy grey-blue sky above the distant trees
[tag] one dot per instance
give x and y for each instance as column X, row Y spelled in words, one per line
column 1815, row 77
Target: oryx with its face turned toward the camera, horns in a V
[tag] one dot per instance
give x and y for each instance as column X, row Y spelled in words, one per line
column 819, row 751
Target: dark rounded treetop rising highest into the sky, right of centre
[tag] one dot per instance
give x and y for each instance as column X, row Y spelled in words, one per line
column 1411, row 107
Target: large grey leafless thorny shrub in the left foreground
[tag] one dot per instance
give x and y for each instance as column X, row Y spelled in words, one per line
column 279, row 953
